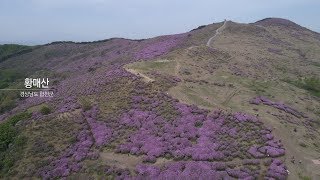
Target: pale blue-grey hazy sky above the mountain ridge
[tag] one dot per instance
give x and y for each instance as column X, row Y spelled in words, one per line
column 43, row 21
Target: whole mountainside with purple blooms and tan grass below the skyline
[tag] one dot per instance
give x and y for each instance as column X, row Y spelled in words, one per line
column 169, row 107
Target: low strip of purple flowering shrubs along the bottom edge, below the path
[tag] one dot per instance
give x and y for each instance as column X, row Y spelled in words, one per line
column 194, row 170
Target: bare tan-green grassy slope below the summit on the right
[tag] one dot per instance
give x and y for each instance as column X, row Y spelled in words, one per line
column 209, row 82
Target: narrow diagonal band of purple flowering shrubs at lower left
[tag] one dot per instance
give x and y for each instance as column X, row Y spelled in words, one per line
column 70, row 160
